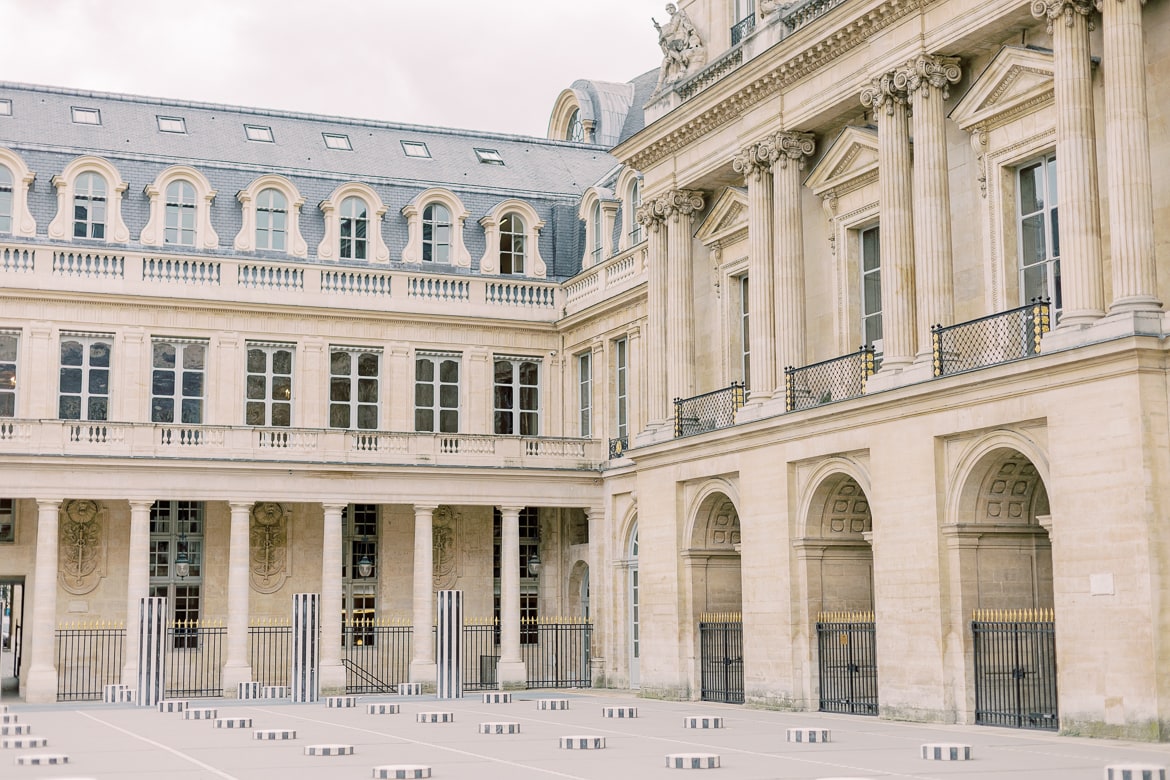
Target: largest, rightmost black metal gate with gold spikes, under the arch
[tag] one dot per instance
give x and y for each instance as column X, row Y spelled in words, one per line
column 1016, row 668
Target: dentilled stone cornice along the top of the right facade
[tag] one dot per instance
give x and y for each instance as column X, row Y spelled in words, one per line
column 773, row 78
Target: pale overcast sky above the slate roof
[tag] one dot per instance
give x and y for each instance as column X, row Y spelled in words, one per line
column 490, row 65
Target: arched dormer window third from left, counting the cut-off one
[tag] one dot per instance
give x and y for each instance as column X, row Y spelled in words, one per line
column 181, row 203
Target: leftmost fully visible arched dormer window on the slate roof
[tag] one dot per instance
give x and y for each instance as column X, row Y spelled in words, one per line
column 90, row 203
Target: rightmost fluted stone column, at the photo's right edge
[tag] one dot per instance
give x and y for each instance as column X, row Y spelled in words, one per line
column 1128, row 160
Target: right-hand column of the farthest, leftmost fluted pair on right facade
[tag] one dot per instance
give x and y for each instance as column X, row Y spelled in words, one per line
column 680, row 208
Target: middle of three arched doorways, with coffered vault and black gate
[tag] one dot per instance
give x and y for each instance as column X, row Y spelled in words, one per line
column 837, row 560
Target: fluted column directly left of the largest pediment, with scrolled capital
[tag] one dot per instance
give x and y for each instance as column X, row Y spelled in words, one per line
column 928, row 80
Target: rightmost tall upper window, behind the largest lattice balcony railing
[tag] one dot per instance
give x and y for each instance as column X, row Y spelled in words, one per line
column 1040, row 233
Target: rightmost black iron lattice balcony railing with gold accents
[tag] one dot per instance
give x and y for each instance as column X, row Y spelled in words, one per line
column 990, row 341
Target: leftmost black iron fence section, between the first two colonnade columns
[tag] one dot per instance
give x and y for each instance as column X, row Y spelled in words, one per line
column 90, row 658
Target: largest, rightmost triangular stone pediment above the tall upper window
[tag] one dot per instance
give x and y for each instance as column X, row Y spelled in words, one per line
column 1017, row 81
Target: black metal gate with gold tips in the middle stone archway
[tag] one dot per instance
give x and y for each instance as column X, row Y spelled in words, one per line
column 848, row 662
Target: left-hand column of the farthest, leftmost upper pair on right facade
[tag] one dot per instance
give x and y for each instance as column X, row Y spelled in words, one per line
column 656, row 402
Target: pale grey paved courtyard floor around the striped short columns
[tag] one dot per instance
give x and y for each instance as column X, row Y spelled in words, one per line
column 107, row 742
